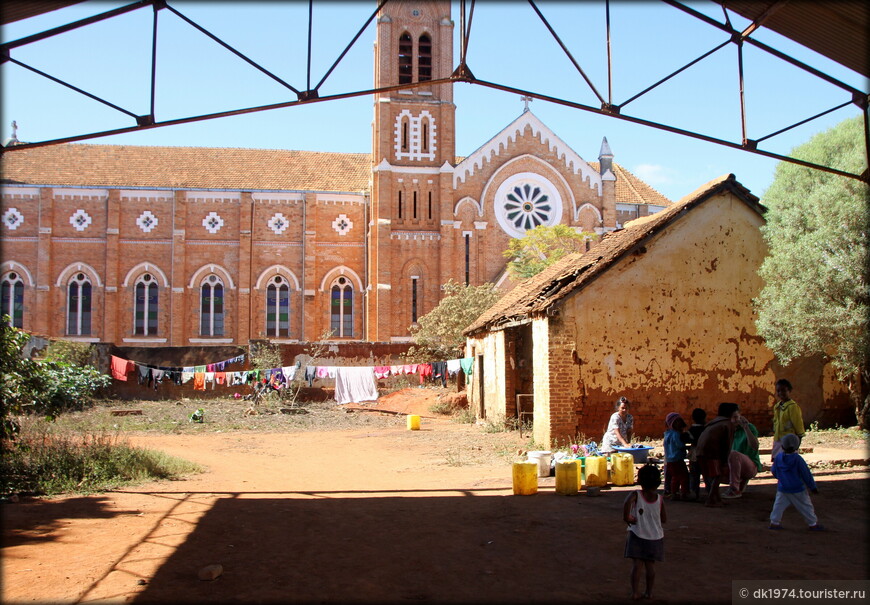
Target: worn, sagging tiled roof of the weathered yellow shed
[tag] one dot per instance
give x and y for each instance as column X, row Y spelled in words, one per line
column 542, row 291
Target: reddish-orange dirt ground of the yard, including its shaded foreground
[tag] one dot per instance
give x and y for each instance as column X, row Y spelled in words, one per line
column 382, row 514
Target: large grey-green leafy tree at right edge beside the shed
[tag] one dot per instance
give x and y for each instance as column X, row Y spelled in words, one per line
column 815, row 298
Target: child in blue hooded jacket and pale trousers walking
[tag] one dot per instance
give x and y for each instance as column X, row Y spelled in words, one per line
column 793, row 477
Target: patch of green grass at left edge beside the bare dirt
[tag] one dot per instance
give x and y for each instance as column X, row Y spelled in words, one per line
column 43, row 461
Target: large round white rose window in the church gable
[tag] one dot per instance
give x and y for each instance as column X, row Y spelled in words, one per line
column 525, row 201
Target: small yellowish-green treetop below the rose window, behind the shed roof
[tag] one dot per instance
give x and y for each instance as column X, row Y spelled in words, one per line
column 542, row 246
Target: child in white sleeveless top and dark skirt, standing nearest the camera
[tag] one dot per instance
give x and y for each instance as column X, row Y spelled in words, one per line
column 644, row 511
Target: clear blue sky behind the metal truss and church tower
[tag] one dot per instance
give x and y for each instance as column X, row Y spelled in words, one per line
column 509, row 45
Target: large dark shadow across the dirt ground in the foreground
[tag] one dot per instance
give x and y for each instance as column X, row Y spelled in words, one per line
column 491, row 547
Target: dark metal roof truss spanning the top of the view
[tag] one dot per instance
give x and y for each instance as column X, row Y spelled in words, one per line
column 461, row 73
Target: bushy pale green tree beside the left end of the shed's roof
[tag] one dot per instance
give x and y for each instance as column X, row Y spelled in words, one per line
column 438, row 334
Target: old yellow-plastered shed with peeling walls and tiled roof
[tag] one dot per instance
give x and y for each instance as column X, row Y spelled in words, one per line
column 660, row 312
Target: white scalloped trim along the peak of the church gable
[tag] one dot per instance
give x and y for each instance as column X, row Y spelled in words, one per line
column 502, row 146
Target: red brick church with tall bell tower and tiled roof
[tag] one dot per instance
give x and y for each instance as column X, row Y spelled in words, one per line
column 179, row 246
